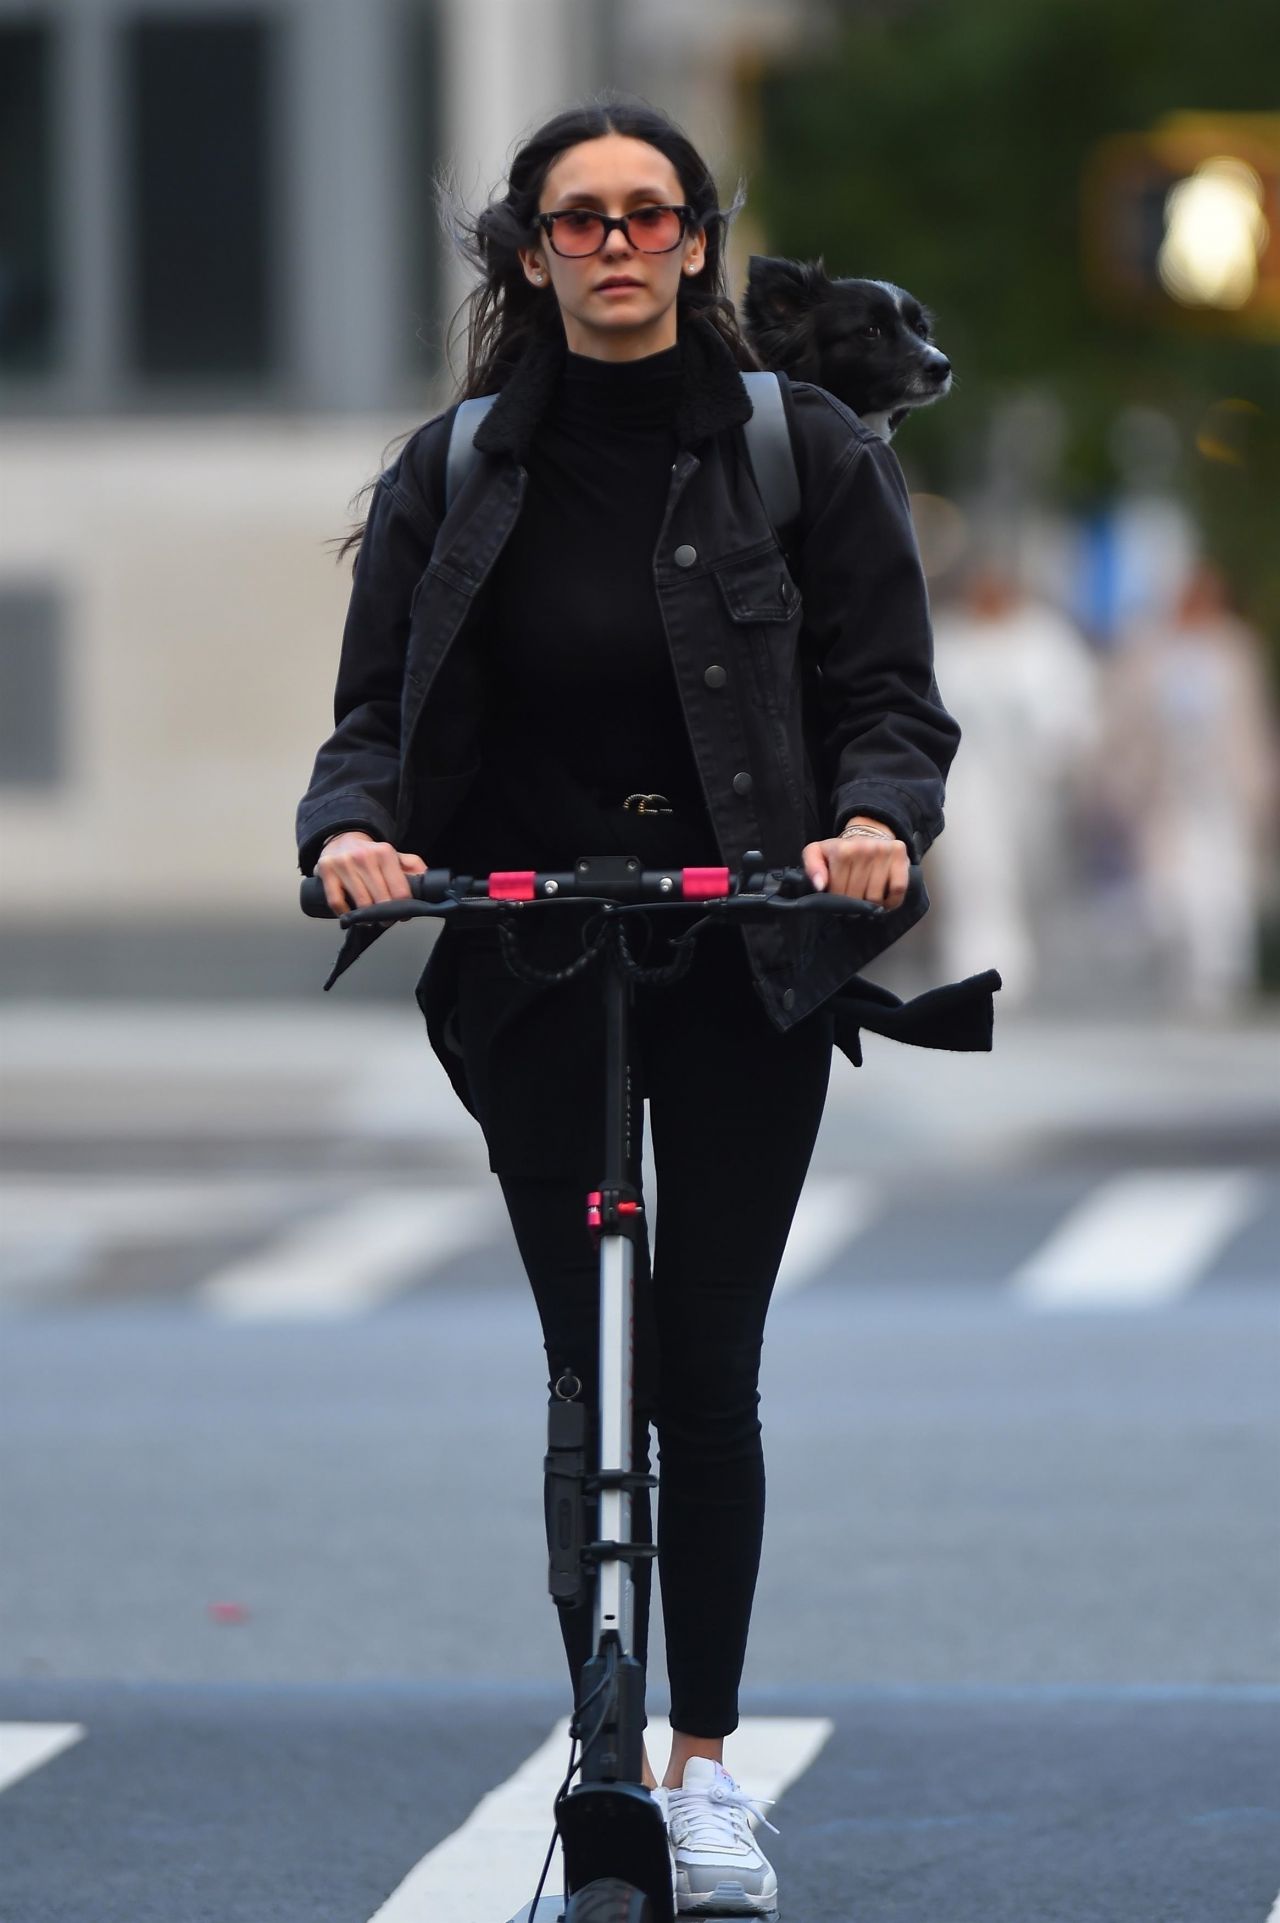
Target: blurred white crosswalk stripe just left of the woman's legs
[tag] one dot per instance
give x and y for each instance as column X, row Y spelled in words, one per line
column 347, row 1261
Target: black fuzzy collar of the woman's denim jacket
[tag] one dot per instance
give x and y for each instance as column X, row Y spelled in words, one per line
column 712, row 393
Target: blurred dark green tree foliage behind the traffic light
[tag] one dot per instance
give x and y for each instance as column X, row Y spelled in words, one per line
column 943, row 147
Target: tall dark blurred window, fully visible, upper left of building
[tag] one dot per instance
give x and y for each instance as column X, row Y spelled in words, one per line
column 201, row 184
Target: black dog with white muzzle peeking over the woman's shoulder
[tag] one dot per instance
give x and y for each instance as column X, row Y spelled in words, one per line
column 864, row 341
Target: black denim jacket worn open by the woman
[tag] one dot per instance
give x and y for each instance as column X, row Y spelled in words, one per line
column 808, row 686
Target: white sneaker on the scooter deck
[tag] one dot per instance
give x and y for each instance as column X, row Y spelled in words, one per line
column 720, row 1868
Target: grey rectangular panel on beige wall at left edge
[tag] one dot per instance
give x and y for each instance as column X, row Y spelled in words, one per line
column 32, row 687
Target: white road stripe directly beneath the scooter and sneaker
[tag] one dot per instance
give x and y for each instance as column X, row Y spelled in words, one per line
column 491, row 1866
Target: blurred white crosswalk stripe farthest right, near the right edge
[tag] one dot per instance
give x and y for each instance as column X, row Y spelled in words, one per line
column 1139, row 1239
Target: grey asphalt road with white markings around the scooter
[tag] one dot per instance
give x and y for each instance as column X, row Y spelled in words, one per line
column 272, row 1601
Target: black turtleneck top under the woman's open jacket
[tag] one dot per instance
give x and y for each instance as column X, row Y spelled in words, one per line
column 583, row 697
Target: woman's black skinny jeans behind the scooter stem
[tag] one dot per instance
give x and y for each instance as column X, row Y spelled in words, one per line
column 735, row 1109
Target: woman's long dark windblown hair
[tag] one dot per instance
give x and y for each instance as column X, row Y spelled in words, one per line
column 505, row 314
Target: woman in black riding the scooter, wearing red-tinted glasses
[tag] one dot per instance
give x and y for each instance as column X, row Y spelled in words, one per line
column 606, row 616
